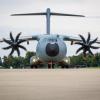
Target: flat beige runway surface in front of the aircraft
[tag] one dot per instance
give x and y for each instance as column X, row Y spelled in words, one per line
column 50, row 84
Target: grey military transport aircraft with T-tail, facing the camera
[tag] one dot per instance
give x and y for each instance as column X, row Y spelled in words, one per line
column 51, row 48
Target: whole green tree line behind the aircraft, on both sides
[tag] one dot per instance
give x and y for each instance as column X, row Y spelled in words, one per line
column 75, row 61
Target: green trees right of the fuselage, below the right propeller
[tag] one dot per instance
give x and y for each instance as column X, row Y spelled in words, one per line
column 88, row 61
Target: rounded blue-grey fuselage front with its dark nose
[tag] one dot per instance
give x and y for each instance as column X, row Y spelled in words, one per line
column 51, row 48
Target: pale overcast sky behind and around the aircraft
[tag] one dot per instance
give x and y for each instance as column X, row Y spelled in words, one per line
column 30, row 25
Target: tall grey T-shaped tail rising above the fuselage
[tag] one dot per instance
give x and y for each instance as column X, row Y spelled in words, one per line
column 48, row 13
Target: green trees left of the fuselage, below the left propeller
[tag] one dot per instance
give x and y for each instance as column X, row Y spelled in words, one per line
column 17, row 62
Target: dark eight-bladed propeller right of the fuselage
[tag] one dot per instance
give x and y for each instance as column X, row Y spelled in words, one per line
column 86, row 45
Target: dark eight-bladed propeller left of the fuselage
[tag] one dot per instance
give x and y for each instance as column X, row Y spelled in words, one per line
column 14, row 44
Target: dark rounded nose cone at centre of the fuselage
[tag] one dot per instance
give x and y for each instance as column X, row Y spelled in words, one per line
column 52, row 49
